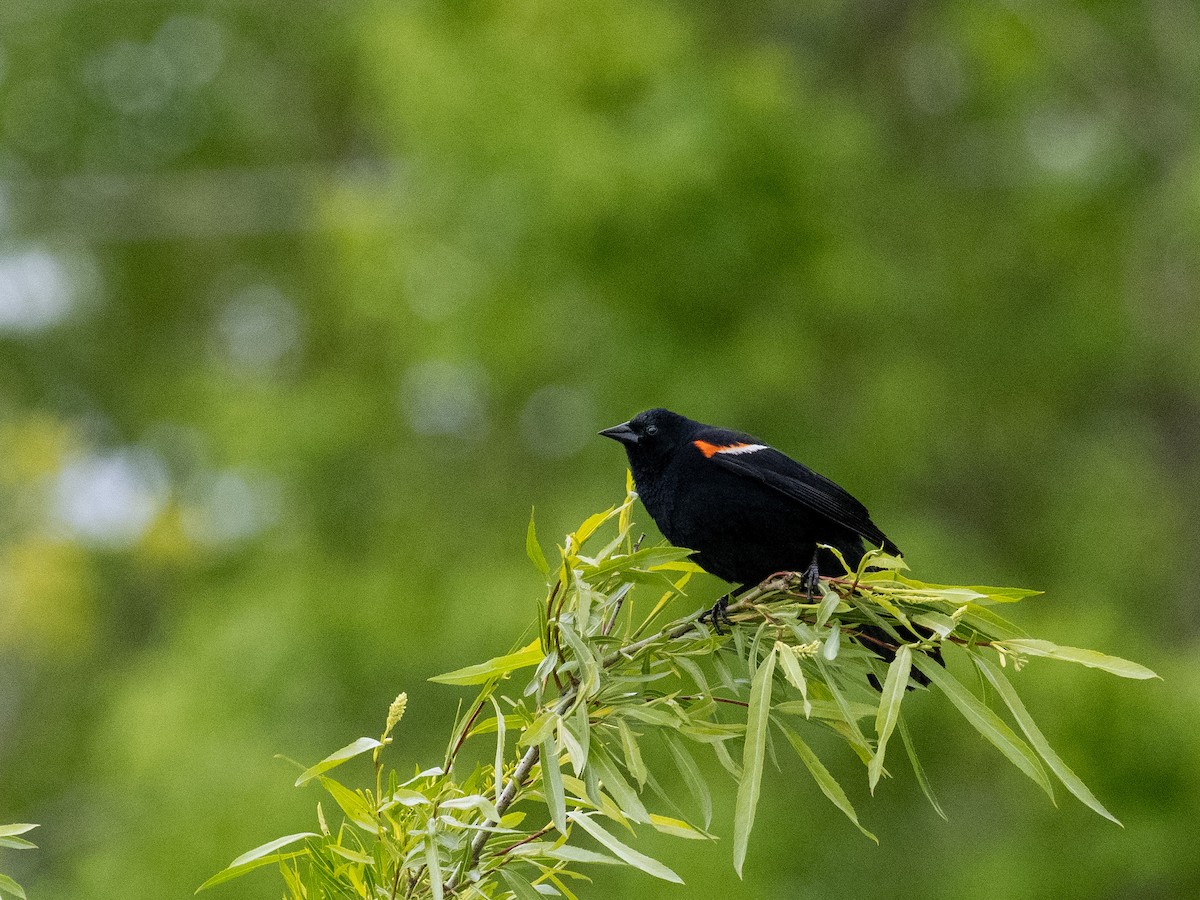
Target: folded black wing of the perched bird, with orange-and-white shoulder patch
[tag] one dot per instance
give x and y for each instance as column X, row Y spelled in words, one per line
column 799, row 483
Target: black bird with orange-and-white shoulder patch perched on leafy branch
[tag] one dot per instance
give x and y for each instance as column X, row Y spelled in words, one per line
column 745, row 508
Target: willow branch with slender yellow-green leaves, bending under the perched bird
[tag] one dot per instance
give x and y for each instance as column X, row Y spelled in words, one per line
column 568, row 764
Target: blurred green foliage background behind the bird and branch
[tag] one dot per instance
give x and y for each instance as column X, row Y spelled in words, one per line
column 304, row 305
